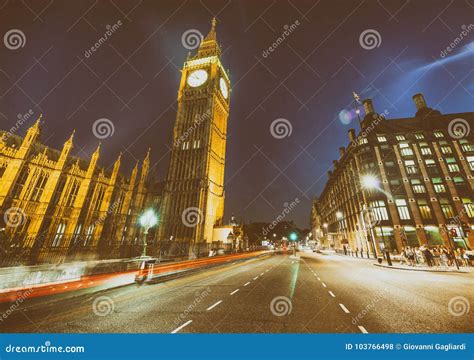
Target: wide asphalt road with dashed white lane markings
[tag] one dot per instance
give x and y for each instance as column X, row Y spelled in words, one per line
column 275, row 294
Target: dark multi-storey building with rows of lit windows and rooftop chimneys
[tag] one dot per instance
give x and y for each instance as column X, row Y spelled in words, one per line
column 401, row 182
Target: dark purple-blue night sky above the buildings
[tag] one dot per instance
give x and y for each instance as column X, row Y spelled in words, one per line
column 132, row 80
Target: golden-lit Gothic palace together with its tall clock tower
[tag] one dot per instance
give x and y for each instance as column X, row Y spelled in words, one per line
column 55, row 207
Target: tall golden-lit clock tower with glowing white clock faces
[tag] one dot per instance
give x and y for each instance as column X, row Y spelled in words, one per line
column 193, row 197
